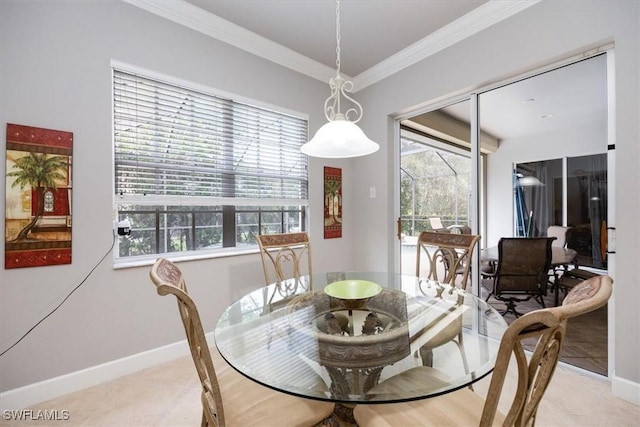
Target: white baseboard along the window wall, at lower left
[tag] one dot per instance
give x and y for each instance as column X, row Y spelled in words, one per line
column 52, row 388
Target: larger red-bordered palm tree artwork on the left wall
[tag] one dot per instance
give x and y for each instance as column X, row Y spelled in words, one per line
column 38, row 197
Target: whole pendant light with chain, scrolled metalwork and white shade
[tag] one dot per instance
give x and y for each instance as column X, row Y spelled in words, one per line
column 340, row 137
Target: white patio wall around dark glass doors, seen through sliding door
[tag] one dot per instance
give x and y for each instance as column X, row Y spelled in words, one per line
column 579, row 141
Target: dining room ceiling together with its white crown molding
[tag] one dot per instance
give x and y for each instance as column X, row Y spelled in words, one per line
column 378, row 37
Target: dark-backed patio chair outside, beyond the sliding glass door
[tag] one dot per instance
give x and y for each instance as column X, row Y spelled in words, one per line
column 521, row 273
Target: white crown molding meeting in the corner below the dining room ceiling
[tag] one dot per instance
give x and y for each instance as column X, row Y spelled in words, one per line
column 190, row 16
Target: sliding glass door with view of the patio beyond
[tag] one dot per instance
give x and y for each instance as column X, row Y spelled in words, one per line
column 541, row 161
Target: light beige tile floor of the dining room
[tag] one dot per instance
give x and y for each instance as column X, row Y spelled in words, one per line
column 169, row 395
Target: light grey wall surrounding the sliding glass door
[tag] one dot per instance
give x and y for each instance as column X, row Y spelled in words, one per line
column 536, row 37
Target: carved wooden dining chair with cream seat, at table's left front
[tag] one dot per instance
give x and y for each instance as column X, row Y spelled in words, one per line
column 228, row 398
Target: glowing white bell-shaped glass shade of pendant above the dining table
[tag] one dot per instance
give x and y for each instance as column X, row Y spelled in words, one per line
column 339, row 138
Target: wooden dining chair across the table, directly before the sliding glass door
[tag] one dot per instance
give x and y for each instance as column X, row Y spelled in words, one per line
column 448, row 256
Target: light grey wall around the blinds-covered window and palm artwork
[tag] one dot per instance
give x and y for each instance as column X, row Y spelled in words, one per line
column 55, row 63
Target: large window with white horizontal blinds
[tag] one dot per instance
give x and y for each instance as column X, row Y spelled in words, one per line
column 196, row 171
